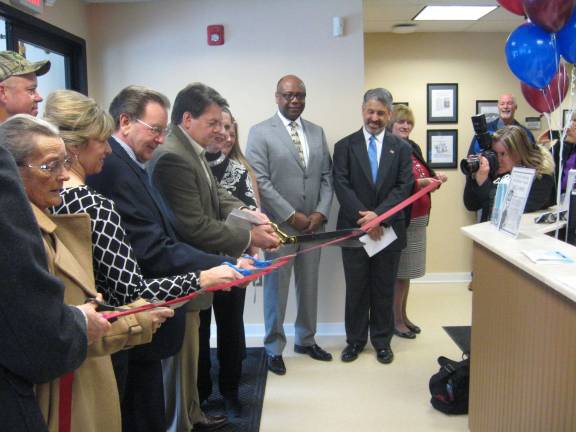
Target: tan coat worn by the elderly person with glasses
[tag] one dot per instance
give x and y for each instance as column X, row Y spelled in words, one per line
column 95, row 402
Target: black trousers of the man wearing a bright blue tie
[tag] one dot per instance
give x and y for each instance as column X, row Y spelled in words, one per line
column 369, row 296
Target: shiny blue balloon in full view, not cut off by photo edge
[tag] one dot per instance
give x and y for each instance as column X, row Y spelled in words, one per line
column 531, row 55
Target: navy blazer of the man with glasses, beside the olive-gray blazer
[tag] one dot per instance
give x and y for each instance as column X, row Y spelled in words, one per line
column 150, row 232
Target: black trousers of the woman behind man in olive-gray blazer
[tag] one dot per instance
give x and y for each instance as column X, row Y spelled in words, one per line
column 229, row 313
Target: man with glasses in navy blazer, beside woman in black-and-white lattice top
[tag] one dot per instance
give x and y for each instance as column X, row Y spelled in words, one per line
column 141, row 117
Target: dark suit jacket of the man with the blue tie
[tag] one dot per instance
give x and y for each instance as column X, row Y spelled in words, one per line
column 356, row 191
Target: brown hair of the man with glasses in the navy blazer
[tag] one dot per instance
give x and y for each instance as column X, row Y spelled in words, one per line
column 133, row 100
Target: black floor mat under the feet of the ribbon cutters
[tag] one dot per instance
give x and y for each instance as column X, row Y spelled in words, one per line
column 251, row 394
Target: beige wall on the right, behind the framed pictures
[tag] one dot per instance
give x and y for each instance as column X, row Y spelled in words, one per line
column 476, row 61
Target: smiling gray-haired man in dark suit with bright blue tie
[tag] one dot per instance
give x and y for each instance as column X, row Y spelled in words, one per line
column 372, row 173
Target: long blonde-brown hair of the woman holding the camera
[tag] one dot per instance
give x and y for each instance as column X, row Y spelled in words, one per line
column 529, row 154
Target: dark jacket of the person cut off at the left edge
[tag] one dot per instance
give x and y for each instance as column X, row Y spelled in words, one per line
column 40, row 337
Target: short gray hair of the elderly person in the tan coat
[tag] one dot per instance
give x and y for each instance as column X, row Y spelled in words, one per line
column 18, row 135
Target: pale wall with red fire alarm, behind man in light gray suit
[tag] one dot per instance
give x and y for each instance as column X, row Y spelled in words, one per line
column 163, row 45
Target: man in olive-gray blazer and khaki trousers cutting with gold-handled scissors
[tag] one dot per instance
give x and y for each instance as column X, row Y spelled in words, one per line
column 199, row 205
